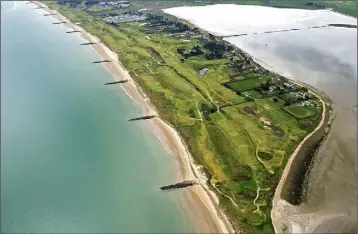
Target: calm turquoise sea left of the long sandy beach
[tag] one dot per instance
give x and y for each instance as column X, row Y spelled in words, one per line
column 70, row 161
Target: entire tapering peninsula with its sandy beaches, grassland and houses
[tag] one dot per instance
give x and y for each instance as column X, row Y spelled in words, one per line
column 236, row 124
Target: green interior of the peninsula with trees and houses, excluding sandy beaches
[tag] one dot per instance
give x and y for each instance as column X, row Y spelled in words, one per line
column 238, row 120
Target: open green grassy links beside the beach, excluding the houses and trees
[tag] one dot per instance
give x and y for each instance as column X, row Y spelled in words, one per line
column 238, row 152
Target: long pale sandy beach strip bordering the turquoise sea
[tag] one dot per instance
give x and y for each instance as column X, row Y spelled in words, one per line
column 206, row 200
